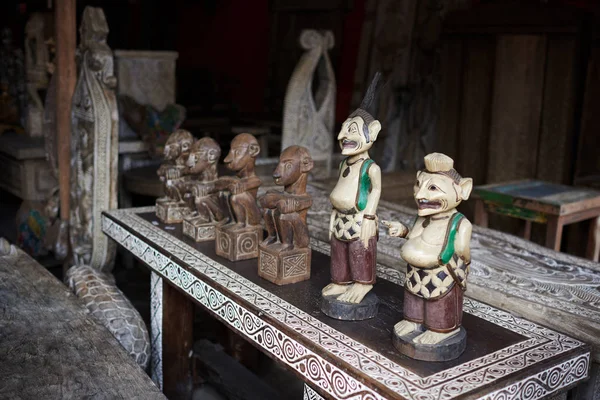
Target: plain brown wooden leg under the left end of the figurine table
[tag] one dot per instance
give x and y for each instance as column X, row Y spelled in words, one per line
column 177, row 340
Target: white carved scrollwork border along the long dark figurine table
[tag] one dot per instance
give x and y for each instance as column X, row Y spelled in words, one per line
column 542, row 343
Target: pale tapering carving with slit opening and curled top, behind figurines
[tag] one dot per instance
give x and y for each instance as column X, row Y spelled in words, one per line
column 308, row 120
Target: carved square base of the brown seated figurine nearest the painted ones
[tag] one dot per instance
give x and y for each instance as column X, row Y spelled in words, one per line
column 284, row 267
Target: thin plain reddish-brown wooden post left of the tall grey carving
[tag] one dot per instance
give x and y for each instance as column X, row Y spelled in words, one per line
column 66, row 74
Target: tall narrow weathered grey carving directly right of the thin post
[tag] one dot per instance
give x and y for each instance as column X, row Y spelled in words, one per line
column 94, row 144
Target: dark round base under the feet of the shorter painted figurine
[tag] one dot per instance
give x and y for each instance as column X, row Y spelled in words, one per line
column 446, row 350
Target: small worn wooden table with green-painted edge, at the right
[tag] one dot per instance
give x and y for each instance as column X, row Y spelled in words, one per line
column 542, row 202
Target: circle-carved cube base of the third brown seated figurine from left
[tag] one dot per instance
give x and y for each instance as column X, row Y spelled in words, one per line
column 237, row 244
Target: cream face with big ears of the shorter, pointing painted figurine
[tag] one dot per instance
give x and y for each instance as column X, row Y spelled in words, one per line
column 436, row 193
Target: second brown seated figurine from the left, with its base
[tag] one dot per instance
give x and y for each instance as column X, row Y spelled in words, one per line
column 202, row 192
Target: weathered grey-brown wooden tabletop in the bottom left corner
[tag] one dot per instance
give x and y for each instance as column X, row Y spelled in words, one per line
column 50, row 346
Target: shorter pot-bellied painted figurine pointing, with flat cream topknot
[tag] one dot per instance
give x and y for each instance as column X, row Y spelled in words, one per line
column 437, row 254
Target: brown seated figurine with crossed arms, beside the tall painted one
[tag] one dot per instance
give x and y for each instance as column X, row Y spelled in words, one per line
column 284, row 256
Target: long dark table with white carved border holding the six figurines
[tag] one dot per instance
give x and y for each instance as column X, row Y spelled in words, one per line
column 506, row 357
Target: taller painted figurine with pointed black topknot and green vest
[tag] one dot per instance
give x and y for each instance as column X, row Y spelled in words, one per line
column 353, row 222
